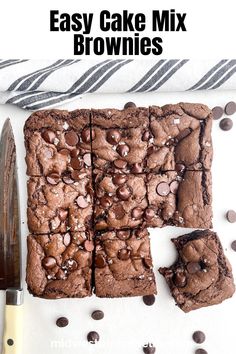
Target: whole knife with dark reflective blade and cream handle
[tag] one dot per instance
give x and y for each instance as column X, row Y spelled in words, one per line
column 10, row 244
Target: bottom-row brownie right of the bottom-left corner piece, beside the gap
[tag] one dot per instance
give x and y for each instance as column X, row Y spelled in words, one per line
column 123, row 264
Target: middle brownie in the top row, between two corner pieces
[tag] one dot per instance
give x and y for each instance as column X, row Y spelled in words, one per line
column 120, row 139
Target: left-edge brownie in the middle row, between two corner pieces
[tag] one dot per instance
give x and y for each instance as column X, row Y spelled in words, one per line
column 56, row 206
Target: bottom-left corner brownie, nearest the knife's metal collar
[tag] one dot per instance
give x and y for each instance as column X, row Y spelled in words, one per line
column 59, row 265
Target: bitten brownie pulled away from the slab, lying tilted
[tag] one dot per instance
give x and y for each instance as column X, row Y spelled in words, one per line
column 202, row 275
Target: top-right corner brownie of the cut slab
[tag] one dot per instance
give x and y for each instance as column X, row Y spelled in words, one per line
column 180, row 137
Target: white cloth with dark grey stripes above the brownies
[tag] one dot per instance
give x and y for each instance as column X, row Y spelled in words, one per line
column 36, row 84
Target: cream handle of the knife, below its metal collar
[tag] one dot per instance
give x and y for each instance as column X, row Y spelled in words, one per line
column 13, row 333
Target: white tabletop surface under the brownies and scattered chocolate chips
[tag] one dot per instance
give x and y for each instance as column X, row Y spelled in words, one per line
column 129, row 324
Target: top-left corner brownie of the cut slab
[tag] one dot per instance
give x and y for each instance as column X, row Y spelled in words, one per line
column 58, row 142
